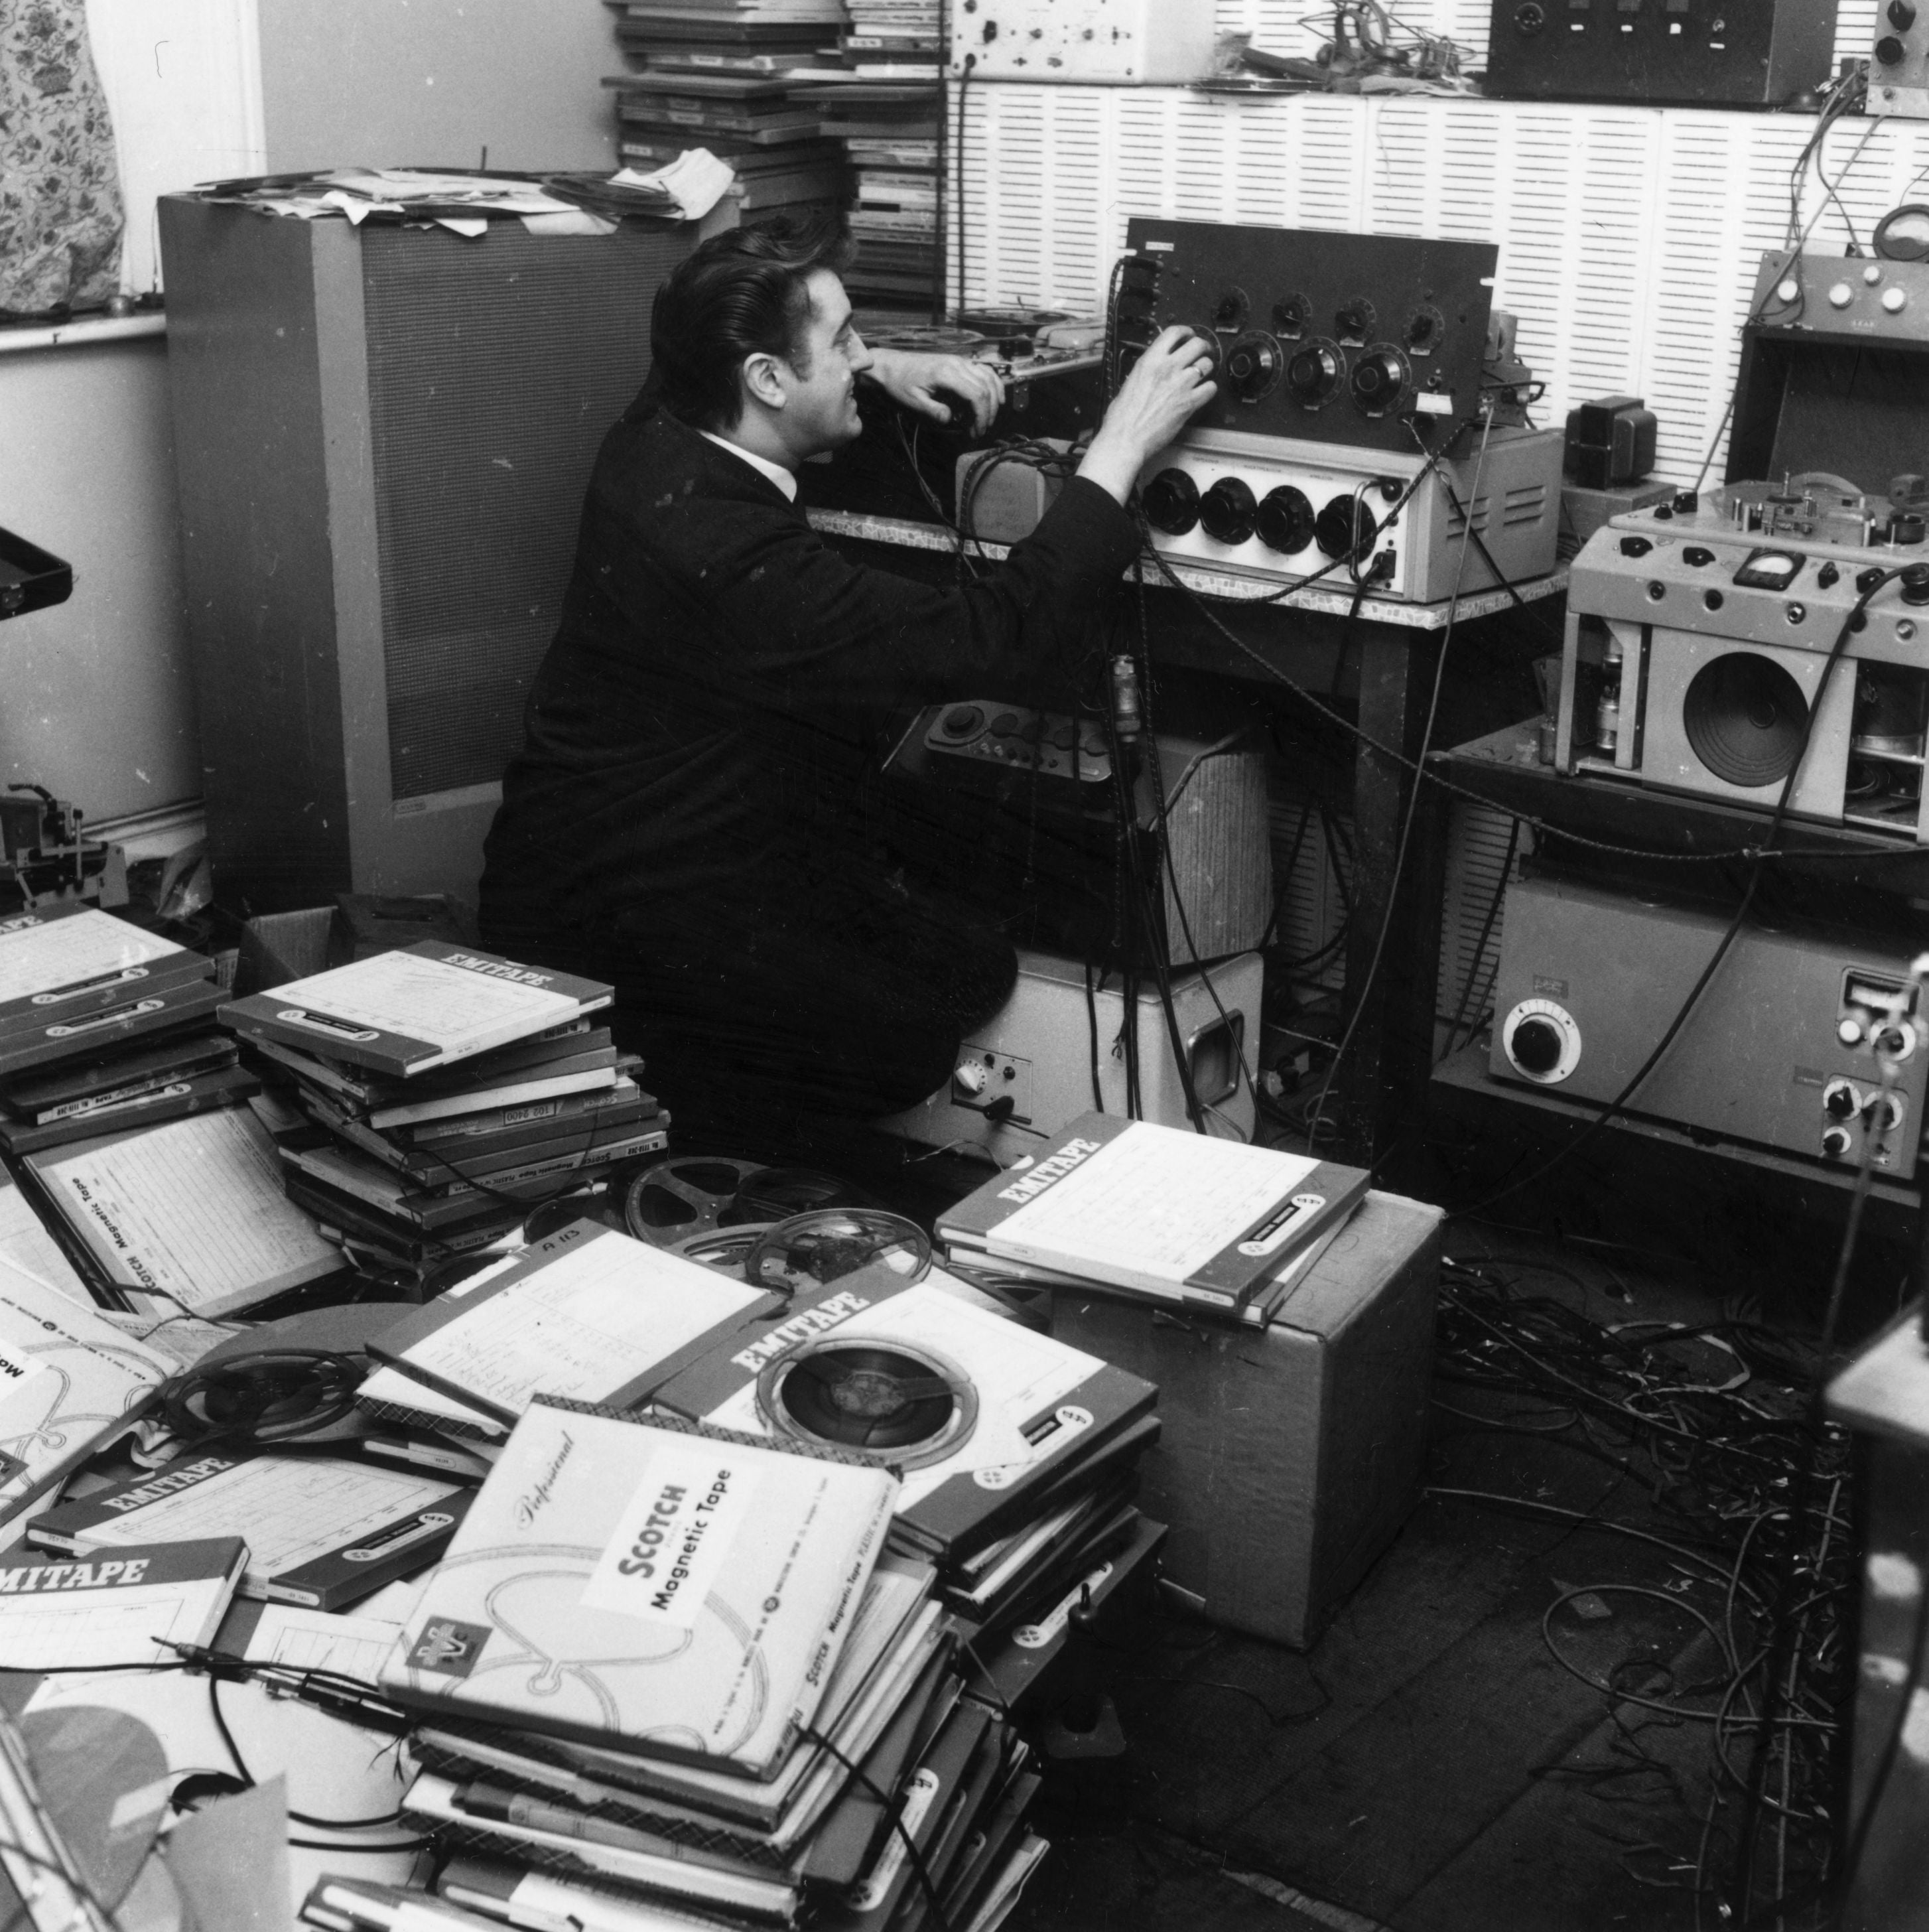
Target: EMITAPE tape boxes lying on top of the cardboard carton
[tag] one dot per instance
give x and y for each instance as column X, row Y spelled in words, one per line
column 1127, row 1208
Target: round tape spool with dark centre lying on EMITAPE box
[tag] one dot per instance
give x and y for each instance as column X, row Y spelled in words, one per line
column 903, row 1404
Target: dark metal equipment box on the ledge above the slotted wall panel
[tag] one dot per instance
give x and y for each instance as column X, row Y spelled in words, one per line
column 1683, row 53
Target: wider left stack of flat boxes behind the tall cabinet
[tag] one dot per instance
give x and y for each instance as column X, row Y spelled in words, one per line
column 721, row 74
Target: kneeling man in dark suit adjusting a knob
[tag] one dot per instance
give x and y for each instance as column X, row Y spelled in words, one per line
column 692, row 812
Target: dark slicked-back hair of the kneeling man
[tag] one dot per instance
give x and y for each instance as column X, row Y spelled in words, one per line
column 742, row 293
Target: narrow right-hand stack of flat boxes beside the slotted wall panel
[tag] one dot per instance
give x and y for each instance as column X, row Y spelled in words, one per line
column 891, row 127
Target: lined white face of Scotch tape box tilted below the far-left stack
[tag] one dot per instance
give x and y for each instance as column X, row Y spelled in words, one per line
column 192, row 1208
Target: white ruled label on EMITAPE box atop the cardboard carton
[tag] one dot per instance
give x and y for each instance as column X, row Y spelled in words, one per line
column 1156, row 1205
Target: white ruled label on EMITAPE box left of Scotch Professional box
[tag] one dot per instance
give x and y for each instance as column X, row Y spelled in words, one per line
column 293, row 1510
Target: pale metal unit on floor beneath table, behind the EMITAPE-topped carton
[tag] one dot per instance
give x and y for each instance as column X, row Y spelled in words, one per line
column 1034, row 1065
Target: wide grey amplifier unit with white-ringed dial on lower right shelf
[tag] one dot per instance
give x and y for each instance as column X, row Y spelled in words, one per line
column 1777, row 1054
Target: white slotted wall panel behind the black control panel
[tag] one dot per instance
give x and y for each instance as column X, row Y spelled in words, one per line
column 1629, row 237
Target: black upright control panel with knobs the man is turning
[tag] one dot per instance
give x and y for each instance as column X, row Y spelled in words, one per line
column 1368, row 341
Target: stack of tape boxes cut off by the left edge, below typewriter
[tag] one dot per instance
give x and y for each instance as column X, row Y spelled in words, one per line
column 103, row 1027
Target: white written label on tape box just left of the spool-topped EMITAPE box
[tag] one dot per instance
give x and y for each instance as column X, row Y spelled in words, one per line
column 580, row 1326
